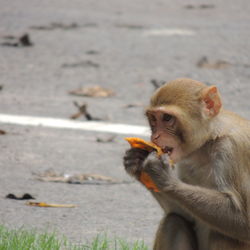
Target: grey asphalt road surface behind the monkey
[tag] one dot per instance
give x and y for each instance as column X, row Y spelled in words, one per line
column 119, row 45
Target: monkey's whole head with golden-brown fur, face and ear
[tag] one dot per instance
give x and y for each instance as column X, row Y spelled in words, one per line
column 179, row 115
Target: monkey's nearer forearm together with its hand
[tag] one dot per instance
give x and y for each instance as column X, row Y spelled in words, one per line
column 221, row 210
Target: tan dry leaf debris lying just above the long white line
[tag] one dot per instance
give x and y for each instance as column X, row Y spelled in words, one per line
column 93, row 91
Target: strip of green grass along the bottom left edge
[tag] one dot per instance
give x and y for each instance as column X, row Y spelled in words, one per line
column 23, row 239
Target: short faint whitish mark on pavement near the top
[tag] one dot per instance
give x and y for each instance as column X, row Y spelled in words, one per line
column 169, row 32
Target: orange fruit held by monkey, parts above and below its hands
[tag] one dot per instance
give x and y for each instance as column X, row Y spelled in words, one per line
column 148, row 146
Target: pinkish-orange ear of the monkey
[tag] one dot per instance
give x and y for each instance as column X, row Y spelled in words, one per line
column 211, row 98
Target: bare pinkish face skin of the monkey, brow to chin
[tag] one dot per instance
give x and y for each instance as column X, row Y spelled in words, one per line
column 163, row 127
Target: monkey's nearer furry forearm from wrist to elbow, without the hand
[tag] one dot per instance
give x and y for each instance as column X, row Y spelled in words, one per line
column 221, row 210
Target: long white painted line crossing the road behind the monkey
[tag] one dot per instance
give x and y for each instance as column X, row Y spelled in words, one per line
column 70, row 124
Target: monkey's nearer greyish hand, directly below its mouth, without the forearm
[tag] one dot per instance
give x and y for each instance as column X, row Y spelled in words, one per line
column 160, row 171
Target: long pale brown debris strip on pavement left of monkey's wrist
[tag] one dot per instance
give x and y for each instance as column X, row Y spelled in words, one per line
column 94, row 179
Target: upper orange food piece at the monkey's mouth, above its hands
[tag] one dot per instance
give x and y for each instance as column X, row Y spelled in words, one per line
column 136, row 142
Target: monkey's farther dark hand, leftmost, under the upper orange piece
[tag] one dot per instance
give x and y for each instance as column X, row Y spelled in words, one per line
column 133, row 161
